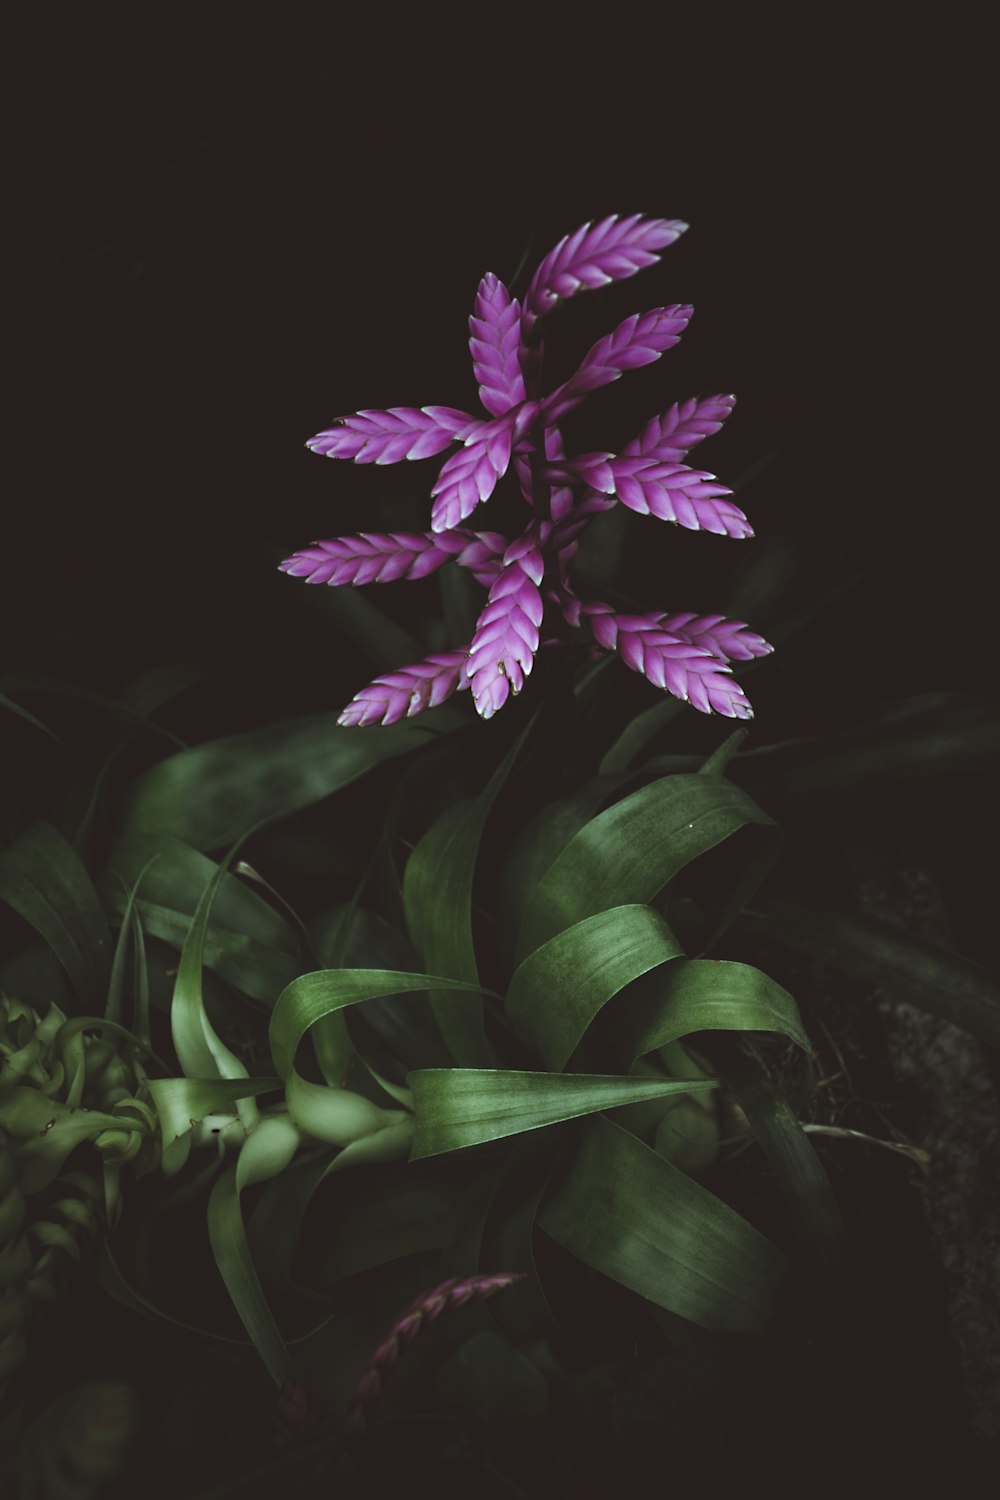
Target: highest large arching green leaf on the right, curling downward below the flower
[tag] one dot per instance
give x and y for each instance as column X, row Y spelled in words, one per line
column 629, row 853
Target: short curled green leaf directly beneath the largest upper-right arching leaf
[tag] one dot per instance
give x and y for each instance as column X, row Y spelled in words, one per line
column 561, row 988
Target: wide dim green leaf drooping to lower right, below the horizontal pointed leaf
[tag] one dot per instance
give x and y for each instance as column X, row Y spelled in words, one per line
column 636, row 1219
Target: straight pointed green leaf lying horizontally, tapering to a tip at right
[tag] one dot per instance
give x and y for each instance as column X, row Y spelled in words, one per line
column 469, row 1106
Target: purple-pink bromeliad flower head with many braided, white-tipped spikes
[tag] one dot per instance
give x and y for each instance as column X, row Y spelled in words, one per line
column 531, row 602
